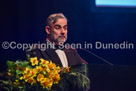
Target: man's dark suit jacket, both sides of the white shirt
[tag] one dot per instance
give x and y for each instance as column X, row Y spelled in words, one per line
column 50, row 54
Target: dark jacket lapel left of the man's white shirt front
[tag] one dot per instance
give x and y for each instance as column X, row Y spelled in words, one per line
column 53, row 56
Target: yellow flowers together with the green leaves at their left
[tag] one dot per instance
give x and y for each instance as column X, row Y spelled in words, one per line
column 42, row 72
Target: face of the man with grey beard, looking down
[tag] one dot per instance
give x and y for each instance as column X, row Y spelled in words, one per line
column 58, row 31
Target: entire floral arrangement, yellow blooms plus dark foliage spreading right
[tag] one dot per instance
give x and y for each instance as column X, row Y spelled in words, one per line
column 42, row 75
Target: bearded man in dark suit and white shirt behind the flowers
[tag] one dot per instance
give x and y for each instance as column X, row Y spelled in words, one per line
column 56, row 29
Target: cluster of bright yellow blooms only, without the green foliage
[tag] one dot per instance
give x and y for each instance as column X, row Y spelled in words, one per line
column 44, row 72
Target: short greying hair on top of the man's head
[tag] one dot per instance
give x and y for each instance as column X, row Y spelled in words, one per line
column 53, row 18
